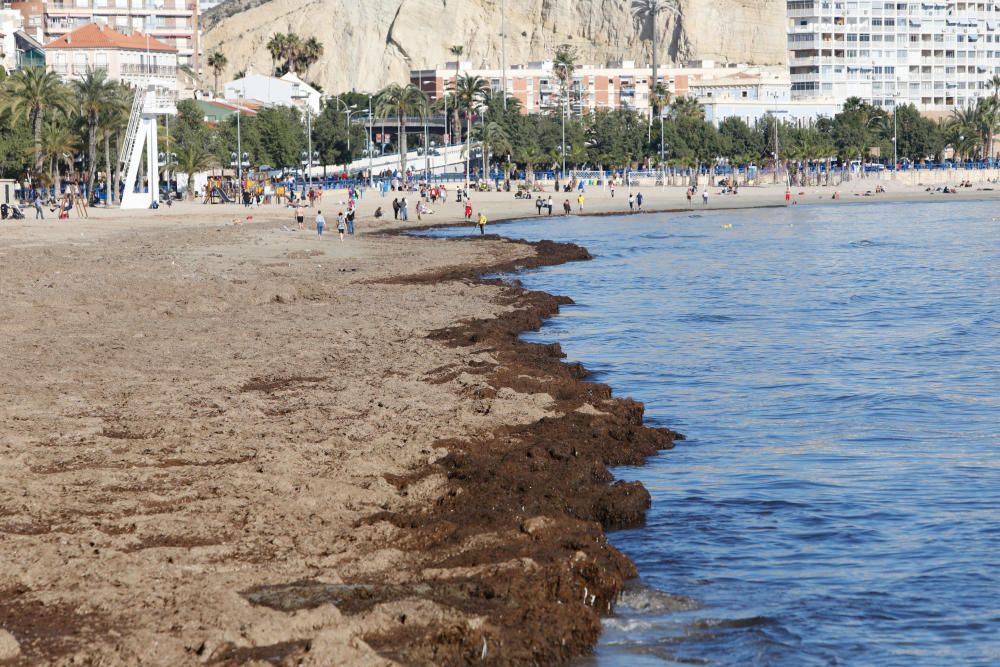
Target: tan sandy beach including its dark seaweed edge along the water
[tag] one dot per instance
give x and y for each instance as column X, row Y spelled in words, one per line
column 227, row 441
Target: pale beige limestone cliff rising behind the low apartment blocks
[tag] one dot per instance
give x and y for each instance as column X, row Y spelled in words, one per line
column 369, row 43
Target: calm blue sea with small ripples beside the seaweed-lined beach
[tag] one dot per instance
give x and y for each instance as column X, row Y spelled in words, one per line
column 837, row 373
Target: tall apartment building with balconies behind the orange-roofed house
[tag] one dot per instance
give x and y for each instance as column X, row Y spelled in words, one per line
column 174, row 22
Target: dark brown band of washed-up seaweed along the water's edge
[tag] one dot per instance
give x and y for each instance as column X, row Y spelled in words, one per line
column 563, row 500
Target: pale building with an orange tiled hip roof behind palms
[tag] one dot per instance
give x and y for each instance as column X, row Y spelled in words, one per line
column 136, row 60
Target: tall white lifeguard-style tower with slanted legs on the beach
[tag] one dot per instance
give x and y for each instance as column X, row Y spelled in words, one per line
column 140, row 137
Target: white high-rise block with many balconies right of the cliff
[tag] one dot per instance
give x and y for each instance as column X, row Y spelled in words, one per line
column 935, row 54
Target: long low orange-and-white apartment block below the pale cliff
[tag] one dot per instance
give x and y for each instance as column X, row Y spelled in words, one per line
column 614, row 86
